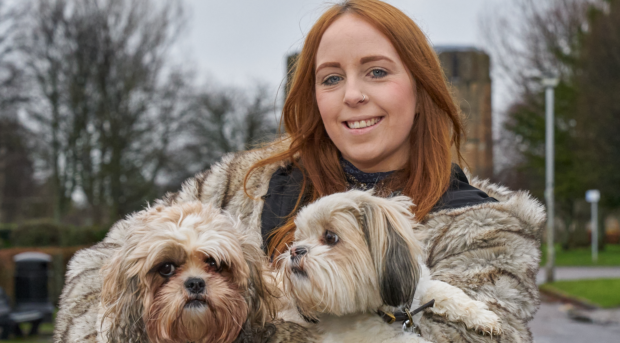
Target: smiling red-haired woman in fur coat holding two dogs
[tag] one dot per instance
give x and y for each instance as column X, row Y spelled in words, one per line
column 369, row 107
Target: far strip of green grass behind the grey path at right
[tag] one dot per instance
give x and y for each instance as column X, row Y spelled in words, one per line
column 583, row 256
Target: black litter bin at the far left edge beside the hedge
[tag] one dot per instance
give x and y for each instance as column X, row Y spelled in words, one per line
column 31, row 283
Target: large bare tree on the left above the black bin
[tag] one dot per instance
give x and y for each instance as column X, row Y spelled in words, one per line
column 104, row 100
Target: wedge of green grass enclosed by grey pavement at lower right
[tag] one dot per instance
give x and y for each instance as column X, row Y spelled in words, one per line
column 600, row 292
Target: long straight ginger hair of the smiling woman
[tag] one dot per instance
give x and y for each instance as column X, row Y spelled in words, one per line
column 437, row 125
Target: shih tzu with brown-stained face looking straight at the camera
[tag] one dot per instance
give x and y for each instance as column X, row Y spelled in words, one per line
column 186, row 273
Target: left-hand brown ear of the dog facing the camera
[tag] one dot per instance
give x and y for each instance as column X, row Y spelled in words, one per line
column 122, row 299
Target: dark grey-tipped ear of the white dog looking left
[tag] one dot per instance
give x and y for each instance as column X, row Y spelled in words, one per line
column 388, row 227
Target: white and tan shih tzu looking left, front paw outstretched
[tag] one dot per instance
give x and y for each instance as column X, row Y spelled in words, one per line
column 355, row 261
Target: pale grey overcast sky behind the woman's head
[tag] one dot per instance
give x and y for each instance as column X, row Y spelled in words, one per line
column 238, row 42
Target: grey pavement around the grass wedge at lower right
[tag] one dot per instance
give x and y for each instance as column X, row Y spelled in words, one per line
column 559, row 323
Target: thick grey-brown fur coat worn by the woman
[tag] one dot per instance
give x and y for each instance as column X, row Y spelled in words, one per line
column 490, row 251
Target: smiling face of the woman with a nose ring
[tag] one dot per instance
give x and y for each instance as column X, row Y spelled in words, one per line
column 365, row 94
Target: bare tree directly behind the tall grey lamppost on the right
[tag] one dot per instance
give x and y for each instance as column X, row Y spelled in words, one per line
column 534, row 39
